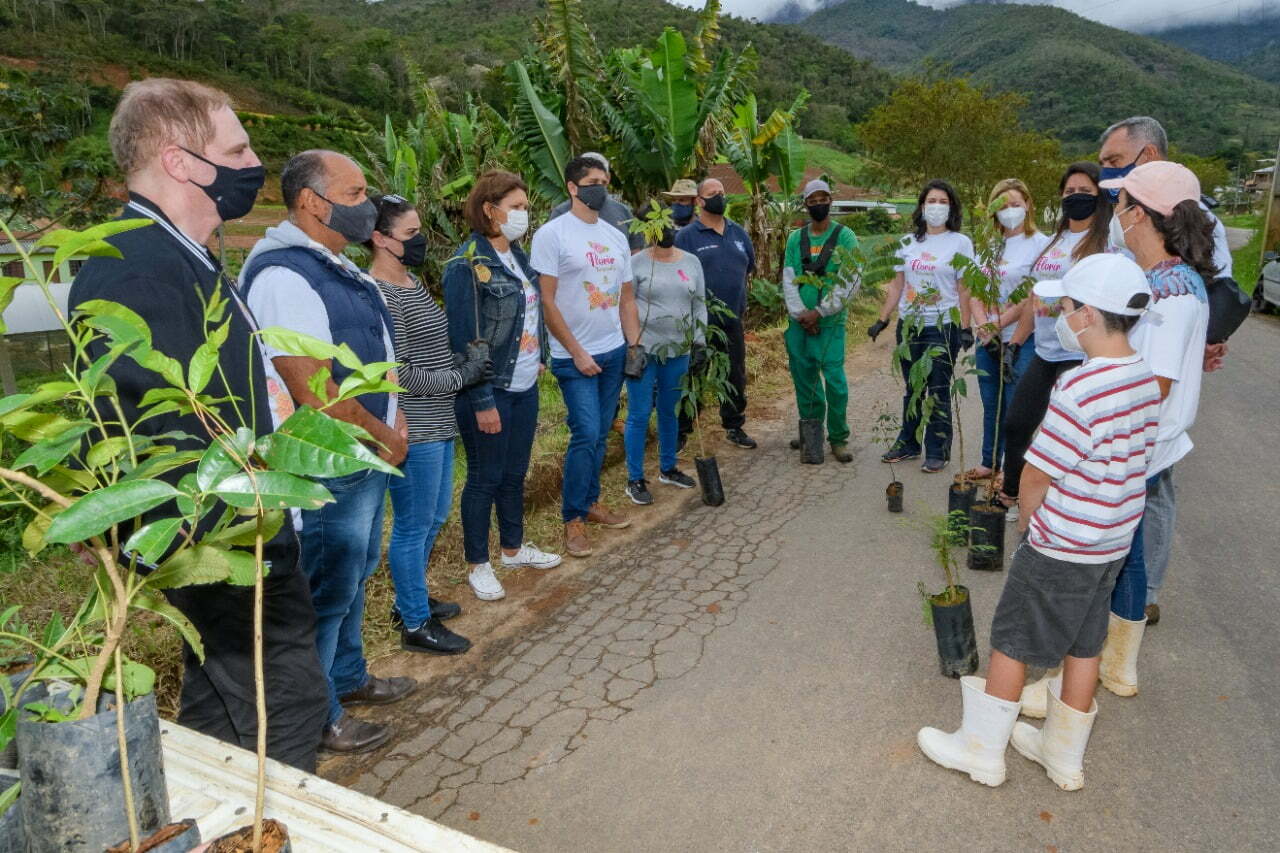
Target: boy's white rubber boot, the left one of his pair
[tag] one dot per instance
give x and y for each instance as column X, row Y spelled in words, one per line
column 979, row 746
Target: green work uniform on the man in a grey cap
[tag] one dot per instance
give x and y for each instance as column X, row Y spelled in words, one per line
column 817, row 362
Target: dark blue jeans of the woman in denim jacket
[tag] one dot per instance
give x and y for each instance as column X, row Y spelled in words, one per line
column 497, row 464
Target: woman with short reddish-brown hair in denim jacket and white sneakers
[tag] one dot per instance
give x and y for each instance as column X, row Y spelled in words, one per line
column 493, row 300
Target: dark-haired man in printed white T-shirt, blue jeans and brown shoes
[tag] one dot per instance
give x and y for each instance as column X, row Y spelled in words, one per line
column 584, row 266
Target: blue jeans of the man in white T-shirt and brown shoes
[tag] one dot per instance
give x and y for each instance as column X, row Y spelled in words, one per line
column 591, row 404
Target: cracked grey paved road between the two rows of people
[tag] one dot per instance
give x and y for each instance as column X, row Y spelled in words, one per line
column 752, row 678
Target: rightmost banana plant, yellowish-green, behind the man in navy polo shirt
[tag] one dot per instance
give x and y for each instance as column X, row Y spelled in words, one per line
column 758, row 152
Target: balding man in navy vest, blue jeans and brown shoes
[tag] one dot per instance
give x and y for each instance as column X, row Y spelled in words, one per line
column 298, row 279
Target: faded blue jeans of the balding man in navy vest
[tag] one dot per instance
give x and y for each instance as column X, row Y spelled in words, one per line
column 341, row 546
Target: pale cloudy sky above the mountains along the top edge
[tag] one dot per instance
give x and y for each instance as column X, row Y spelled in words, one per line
column 1130, row 15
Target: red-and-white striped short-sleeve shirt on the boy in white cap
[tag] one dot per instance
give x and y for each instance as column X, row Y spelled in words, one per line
column 1096, row 443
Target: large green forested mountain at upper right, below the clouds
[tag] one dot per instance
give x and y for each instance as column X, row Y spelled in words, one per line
column 1078, row 75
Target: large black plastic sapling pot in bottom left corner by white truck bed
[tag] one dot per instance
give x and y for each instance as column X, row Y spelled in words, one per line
column 72, row 791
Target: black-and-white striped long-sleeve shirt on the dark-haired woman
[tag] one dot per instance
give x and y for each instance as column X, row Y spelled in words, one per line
column 426, row 368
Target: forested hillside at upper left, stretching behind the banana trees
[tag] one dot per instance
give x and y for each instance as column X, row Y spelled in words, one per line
column 365, row 53
